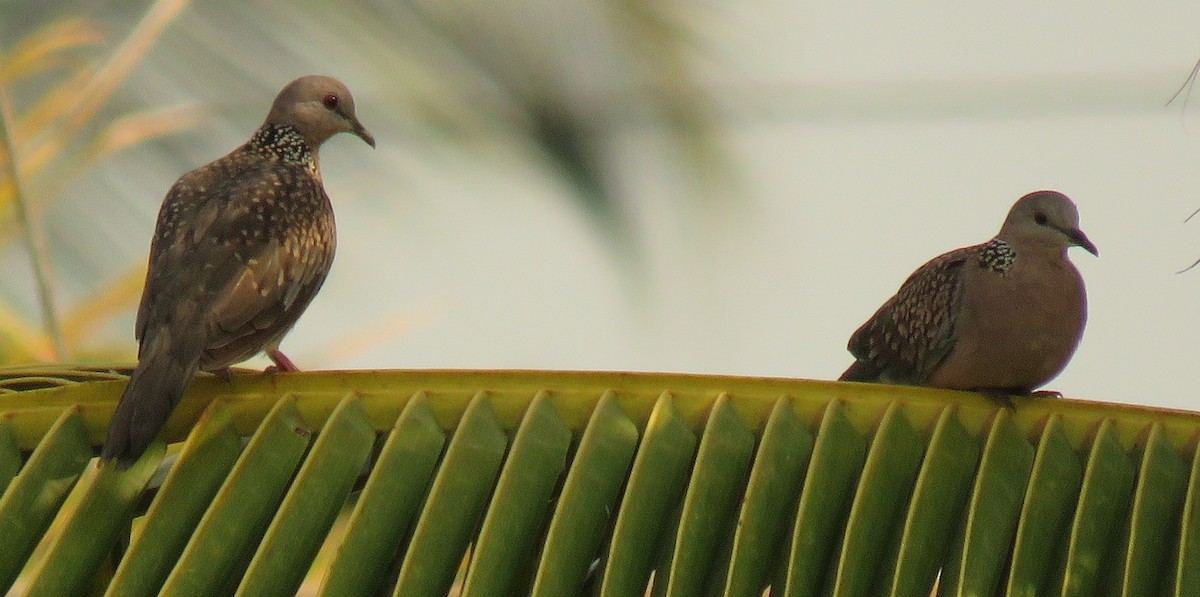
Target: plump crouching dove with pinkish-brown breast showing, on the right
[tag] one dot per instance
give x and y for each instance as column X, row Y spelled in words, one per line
column 1003, row 317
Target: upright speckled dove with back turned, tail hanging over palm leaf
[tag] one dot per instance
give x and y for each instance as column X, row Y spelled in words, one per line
column 241, row 249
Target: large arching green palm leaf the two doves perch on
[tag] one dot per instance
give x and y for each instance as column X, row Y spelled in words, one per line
column 551, row 484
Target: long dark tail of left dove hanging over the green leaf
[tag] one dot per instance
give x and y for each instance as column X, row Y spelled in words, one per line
column 155, row 389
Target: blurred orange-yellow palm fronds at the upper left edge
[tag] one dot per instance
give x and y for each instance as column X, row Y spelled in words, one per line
column 62, row 131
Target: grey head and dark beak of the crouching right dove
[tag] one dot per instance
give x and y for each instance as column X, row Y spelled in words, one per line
column 1048, row 220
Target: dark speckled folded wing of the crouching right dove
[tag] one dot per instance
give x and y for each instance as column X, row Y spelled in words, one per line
column 914, row 331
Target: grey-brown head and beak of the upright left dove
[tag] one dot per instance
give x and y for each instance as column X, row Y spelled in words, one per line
column 319, row 108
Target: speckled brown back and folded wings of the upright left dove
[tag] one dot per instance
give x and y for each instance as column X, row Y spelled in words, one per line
column 220, row 261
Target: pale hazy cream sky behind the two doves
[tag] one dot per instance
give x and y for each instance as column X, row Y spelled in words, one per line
column 868, row 138
